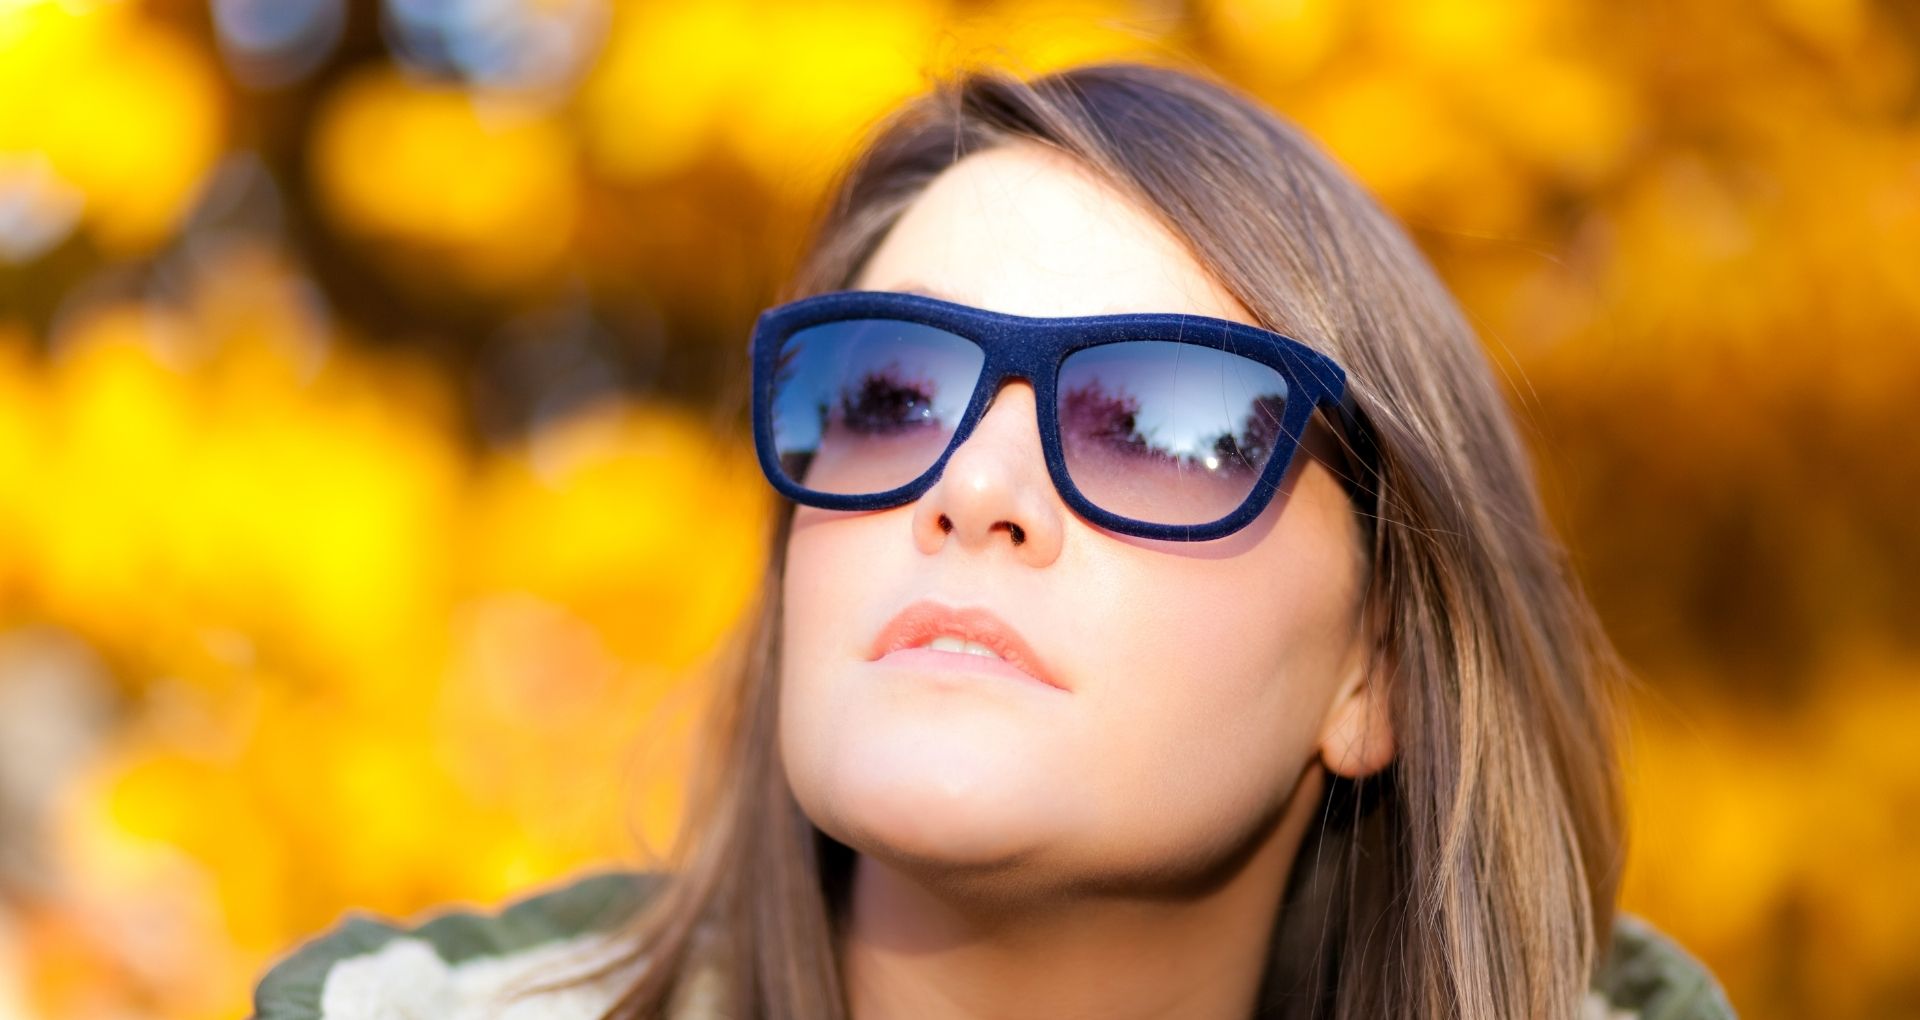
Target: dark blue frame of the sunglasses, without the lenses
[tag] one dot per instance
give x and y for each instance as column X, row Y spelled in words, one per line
column 1034, row 349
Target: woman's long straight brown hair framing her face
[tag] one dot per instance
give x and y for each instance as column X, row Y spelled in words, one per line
column 1476, row 877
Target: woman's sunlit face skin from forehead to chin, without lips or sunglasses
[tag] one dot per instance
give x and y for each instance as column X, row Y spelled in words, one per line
column 1201, row 679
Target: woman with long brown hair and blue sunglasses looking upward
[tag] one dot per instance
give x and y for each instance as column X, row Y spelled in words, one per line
column 1164, row 625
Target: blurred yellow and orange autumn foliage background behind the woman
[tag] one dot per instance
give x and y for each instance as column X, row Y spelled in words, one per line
column 375, row 485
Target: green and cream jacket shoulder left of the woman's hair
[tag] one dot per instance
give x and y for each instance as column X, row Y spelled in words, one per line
column 460, row 961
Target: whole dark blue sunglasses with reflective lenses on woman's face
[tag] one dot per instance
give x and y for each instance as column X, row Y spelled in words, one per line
column 1155, row 425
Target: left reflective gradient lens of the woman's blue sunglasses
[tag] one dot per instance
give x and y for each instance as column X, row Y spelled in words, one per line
column 865, row 406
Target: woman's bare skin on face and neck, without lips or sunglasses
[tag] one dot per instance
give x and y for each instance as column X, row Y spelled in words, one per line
column 1116, row 850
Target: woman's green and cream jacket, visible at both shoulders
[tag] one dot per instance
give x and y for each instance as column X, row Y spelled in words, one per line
column 458, row 963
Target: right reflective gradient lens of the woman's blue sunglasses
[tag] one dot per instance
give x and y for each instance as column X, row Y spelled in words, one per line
column 1168, row 433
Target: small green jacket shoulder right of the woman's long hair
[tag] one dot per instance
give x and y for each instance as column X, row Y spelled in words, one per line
column 1648, row 977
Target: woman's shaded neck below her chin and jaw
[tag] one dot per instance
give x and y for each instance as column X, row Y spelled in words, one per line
column 928, row 952
